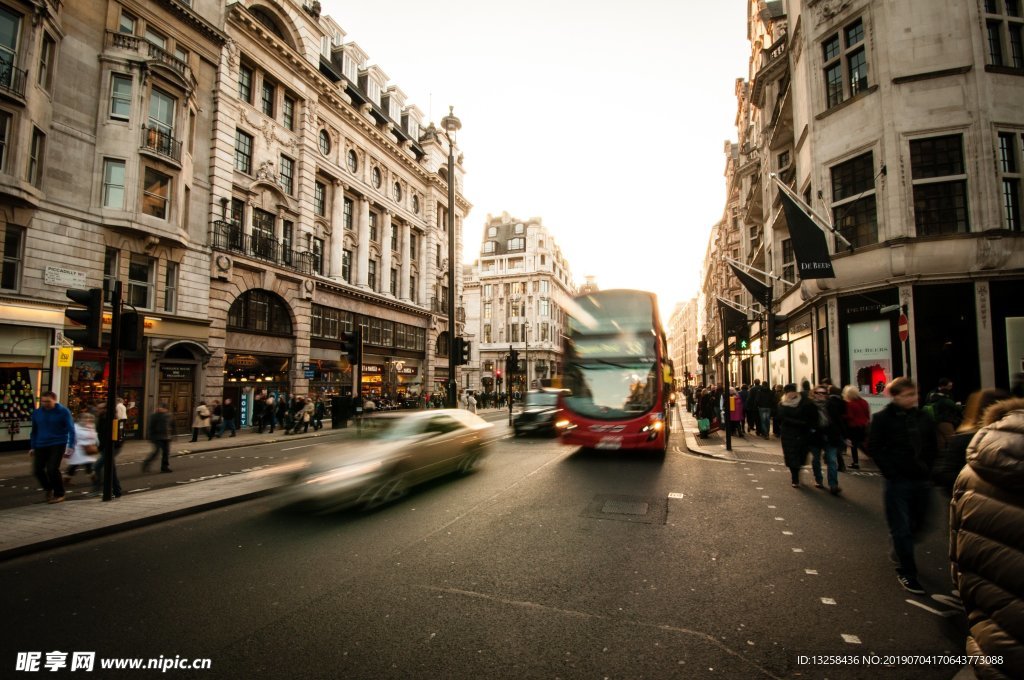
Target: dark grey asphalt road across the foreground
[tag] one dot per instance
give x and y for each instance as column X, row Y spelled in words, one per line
column 547, row 563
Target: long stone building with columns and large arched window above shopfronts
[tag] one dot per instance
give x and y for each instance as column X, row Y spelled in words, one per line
column 329, row 212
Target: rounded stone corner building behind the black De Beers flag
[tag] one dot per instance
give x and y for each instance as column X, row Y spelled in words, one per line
column 901, row 123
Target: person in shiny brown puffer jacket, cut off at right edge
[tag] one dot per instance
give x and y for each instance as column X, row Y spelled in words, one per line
column 987, row 541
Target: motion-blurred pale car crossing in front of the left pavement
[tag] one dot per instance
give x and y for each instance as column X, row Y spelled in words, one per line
column 398, row 454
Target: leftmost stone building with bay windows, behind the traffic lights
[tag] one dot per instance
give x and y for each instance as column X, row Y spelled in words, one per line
column 105, row 131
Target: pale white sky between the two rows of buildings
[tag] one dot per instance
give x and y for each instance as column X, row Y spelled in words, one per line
column 606, row 119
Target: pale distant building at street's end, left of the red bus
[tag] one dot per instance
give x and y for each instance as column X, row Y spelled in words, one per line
column 515, row 300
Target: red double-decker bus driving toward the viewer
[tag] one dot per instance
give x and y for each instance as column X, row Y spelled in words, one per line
column 618, row 374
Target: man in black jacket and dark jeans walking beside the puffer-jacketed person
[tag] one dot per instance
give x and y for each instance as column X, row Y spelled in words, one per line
column 904, row 444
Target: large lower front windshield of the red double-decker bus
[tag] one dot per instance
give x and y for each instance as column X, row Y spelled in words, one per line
column 611, row 391
